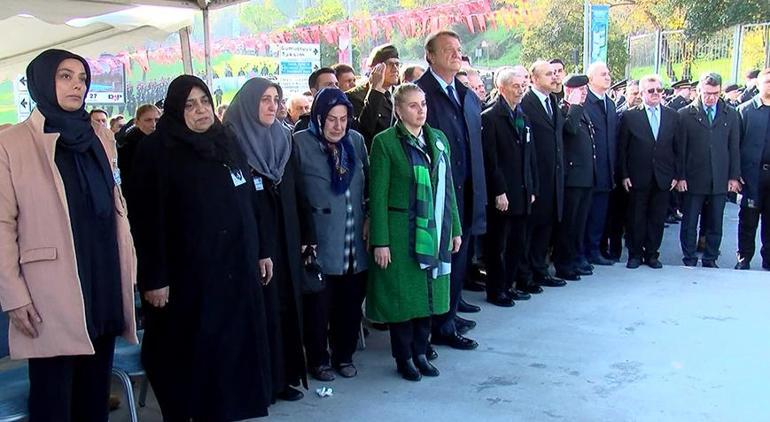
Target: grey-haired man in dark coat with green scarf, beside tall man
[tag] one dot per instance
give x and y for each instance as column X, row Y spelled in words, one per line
column 511, row 171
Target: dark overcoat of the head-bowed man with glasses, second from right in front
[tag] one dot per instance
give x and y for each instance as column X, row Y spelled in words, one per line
column 710, row 155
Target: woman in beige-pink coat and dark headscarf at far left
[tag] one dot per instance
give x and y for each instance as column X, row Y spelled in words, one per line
column 66, row 257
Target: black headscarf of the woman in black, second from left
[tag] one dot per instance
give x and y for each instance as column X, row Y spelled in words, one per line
column 214, row 144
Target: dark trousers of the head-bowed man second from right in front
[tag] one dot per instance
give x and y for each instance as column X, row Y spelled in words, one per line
column 693, row 206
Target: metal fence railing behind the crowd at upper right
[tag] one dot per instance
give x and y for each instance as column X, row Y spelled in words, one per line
column 673, row 56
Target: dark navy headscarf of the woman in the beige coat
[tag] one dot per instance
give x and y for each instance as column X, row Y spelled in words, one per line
column 74, row 128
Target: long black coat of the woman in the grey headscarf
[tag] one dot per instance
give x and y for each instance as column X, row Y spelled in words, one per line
column 293, row 222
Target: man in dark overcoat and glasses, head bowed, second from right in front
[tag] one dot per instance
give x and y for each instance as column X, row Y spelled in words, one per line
column 710, row 167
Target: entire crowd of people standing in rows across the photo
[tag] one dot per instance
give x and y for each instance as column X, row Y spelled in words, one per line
column 268, row 229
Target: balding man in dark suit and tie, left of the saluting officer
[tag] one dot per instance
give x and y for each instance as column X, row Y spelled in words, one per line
column 547, row 123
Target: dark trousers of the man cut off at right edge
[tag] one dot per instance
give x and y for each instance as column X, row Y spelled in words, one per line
column 749, row 219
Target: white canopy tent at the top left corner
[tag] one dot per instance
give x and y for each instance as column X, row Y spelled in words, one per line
column 93, row 26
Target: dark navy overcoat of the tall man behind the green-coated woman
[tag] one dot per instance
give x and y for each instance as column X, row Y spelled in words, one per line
column 443, row 115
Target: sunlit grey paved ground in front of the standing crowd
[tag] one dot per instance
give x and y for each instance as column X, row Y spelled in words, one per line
column 677, row 344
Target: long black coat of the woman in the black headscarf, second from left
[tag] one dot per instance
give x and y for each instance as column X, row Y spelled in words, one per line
column 196, row 232
